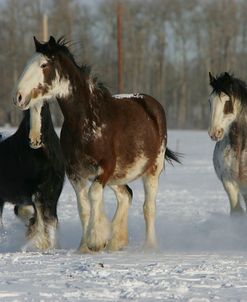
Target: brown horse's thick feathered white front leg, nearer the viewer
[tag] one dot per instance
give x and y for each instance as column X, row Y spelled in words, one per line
column 99, row 231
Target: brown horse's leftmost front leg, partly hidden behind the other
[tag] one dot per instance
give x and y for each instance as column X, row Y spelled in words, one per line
column 83, row 205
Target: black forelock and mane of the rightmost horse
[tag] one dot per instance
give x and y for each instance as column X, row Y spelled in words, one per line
column 230, row 85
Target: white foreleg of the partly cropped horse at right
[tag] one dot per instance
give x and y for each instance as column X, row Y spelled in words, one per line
column 232, row 190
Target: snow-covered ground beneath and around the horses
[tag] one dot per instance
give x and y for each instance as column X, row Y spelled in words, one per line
column 202, row 250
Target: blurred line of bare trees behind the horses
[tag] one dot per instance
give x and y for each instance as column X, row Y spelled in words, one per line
column 169, row 46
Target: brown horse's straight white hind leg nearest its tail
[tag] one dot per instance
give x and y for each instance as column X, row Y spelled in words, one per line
column 151, row 181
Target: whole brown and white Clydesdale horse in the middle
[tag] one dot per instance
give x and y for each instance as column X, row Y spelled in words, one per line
column 108, row 140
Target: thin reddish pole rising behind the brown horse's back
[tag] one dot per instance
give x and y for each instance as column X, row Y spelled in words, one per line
column 120, row 45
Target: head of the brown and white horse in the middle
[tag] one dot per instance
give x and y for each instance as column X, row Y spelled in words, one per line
column 42, row 78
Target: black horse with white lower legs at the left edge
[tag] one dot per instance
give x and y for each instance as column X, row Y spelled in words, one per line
column 33, row 177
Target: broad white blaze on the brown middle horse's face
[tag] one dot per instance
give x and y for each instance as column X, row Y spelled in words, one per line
column 30, row 79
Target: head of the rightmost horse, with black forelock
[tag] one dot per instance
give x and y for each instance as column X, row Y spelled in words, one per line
column 224, row 105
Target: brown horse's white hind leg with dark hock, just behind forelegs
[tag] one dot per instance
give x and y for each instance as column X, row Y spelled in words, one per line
column 120, row 221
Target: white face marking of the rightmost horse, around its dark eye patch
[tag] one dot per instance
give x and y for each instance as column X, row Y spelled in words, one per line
column 220, row 121
